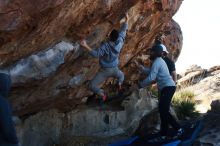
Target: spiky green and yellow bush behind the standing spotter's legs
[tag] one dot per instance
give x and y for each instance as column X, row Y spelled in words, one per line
column 184, row 105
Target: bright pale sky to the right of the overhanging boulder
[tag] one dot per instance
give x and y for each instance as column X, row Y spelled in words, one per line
column 200, row 24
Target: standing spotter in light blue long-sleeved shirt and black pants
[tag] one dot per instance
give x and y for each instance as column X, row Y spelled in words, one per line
column 159, row 72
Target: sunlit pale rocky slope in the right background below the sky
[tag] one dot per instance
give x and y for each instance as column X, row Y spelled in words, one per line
column 205, row 84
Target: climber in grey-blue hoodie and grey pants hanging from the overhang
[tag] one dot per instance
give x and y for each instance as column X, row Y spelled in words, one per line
column 108, row 54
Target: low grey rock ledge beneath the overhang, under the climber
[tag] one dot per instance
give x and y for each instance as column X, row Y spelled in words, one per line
column 87, row 127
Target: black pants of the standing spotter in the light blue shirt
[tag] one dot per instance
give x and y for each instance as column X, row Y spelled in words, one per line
column 166, row 118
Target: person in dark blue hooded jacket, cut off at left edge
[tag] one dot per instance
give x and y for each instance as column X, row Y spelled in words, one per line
column 7, row 131
